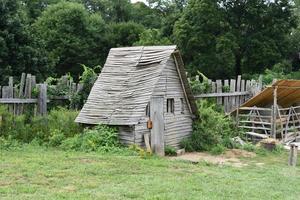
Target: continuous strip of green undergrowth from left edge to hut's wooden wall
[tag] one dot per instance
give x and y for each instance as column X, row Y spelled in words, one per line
column 58, row 129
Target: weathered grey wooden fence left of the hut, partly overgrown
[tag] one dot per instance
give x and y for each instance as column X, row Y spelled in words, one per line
column 27, row 92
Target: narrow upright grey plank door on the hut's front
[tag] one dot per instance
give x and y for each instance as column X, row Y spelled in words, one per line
column 157, row 131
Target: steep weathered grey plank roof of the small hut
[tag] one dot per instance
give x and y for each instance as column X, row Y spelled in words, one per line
column 126, row 83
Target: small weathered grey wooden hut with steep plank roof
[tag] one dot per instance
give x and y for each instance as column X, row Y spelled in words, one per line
column 143, row 91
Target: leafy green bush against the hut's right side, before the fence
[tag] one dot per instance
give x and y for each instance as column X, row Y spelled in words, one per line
column 210, row 129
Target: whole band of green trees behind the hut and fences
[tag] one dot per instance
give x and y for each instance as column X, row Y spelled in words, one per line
column 221, row 38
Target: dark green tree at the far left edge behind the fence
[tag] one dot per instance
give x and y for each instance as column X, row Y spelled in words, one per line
column 19, row 51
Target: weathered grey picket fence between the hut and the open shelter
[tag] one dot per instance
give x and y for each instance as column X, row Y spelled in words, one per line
column 231, row 93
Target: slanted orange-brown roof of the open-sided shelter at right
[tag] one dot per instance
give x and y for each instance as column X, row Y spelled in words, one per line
column 288, row 93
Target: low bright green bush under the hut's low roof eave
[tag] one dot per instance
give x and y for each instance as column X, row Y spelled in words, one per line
column 103, row 138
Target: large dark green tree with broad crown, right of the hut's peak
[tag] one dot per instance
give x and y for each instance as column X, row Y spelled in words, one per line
column 243, row 36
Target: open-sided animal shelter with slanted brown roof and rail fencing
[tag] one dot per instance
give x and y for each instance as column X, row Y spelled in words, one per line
column 275, row 112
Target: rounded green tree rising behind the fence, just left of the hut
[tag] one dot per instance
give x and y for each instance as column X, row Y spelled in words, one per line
column 72, row 36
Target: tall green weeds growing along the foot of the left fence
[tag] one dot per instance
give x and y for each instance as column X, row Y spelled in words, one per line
column 42, row 129
